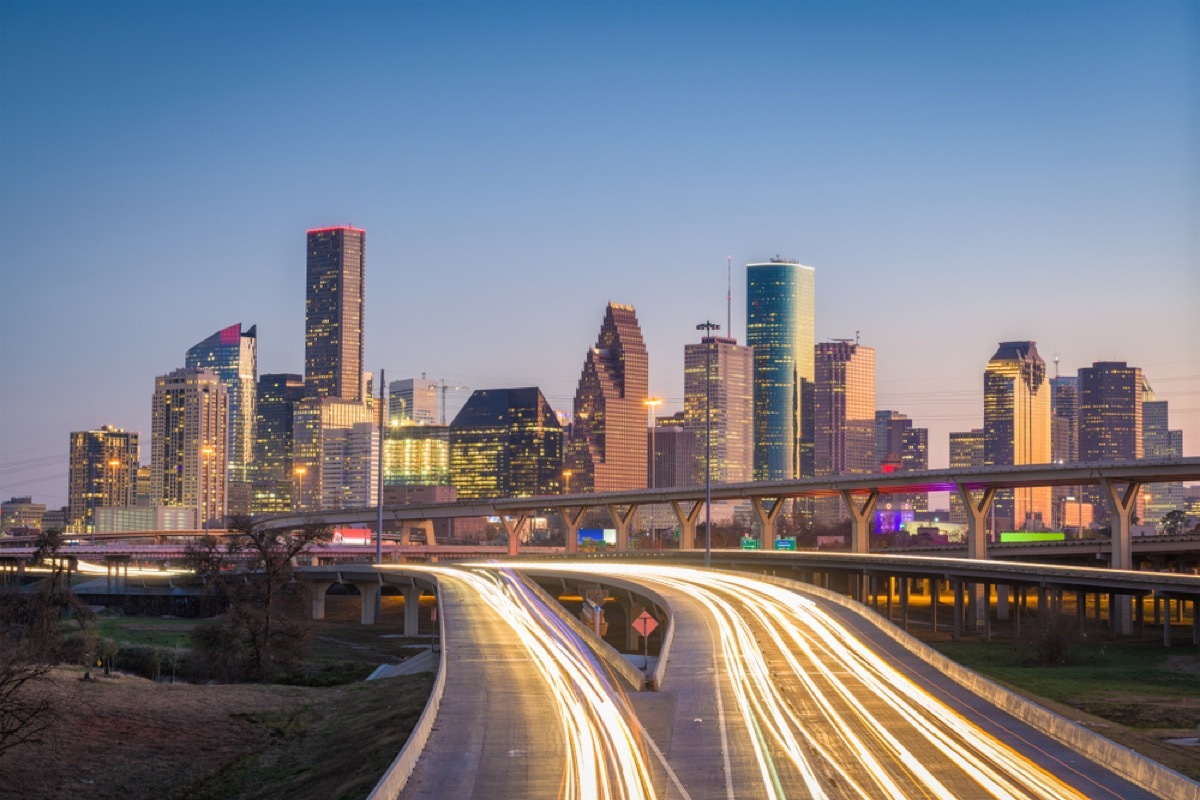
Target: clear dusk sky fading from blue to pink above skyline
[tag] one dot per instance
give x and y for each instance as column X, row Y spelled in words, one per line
column 958, row 175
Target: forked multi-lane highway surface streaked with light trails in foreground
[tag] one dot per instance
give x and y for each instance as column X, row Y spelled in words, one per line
column 769, row 693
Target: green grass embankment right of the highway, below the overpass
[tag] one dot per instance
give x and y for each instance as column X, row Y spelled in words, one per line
column 1137, row 694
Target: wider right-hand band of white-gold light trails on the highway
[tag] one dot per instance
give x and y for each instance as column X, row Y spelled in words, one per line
column 829, row 717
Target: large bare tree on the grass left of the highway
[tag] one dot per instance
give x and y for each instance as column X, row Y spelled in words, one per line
column 265, row 629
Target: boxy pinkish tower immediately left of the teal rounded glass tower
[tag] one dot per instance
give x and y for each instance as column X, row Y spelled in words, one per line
column 730, row 402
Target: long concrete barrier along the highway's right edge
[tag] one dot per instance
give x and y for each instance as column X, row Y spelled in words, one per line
column 1133, row 767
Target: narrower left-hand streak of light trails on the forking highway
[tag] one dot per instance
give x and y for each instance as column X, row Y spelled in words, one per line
column 604, row 754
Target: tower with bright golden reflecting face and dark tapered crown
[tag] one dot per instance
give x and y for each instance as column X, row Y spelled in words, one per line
column 1017, row 430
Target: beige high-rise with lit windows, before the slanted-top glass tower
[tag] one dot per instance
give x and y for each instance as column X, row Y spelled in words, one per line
column 189, row 443
